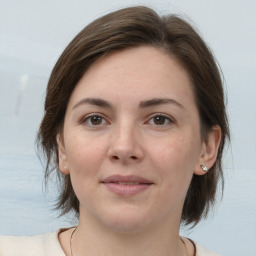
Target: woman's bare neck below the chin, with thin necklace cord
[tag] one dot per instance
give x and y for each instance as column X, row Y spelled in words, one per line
column 93, row 239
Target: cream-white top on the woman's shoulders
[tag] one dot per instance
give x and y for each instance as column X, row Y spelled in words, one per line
column 49, row 245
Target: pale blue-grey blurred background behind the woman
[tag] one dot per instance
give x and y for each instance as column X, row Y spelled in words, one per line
column 33, row 33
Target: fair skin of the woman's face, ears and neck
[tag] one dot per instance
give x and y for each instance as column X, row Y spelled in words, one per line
column 132, row 116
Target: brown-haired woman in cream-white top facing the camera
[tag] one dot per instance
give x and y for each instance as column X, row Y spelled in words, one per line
column 135, row 126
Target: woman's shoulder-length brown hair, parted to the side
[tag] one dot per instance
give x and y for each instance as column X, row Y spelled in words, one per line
column 122, row 29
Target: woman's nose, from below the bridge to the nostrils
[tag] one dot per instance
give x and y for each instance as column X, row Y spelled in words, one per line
column 126, row 145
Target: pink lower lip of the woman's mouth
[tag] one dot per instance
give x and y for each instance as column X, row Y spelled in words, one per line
column 126, row 190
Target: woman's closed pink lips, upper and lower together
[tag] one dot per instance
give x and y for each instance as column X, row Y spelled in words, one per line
column 126, row 185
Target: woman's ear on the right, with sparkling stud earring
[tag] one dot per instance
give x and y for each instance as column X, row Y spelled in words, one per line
column 209, row 151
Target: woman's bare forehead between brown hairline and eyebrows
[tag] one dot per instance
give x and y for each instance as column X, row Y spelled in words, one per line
column 142, row 72
